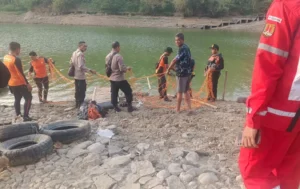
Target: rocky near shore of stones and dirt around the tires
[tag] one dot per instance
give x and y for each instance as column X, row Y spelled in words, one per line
column 151, row 149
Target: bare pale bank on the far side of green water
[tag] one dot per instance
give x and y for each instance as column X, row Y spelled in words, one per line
column 123, row 21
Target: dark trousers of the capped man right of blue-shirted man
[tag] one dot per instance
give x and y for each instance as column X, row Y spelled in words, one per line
column 213, row 85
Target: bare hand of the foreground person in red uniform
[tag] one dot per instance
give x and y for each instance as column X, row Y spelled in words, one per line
column 249, row 138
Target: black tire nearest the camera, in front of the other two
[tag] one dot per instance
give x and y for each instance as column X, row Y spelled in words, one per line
column 41, row 145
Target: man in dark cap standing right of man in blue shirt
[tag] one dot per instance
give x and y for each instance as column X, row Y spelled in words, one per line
column 213, row 71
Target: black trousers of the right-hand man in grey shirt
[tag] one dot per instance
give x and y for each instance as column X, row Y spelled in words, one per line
column 124, row 87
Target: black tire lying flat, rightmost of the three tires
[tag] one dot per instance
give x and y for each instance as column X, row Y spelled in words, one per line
column 67, row 131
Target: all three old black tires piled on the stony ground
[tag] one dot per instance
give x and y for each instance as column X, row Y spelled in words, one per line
column 27, row 143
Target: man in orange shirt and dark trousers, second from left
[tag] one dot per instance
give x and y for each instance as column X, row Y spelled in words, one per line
column 38, row 66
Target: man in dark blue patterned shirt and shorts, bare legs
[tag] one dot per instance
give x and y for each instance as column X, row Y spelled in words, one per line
column 183, row 71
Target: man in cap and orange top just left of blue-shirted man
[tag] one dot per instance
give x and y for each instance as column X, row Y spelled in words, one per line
column 161, row 70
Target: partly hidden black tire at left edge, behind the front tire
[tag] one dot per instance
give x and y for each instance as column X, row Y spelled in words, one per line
column 17, row 130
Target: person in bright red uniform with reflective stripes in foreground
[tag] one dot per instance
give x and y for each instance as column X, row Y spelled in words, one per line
column 274, row 104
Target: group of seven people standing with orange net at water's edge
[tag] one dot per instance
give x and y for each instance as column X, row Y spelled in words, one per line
column 182, row 64
